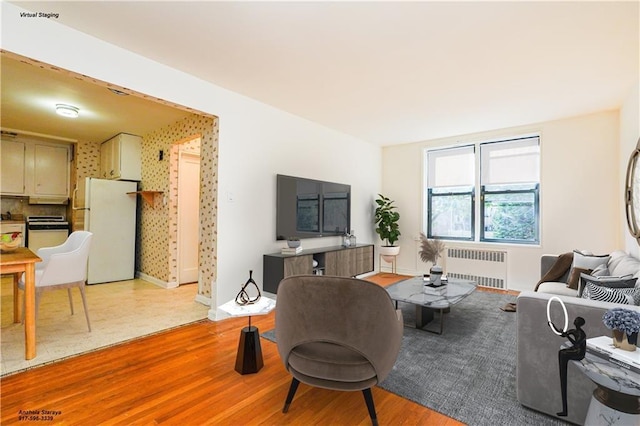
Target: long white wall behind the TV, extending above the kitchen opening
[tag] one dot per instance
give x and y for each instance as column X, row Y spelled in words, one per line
column 256, row 143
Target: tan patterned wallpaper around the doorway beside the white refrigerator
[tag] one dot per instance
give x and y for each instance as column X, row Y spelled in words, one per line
column 157, row 223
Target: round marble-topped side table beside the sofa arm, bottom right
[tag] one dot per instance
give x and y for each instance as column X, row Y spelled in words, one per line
column 616, row 400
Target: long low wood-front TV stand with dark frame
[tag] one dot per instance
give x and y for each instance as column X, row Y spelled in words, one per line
column 335, row 260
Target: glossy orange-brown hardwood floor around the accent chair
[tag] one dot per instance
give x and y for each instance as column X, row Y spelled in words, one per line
column 186, row 376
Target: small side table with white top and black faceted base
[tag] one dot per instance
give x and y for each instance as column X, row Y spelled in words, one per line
column 249, row 357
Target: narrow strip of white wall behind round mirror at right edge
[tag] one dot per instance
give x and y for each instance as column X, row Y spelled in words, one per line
column 629, row 136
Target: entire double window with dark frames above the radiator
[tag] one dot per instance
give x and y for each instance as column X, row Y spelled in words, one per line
column 507, row 184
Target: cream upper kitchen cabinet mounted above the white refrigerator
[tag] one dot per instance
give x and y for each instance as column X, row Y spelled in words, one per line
column 121, row 158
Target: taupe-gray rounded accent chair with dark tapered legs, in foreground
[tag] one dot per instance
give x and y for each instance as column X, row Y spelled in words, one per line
column 337, row 333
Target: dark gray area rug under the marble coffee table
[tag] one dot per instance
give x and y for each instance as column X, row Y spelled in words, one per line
column 468, row 372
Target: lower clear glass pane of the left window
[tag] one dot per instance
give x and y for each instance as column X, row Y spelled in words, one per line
column 451, row 216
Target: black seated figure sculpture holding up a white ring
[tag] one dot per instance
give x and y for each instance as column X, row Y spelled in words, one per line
column 575, row 352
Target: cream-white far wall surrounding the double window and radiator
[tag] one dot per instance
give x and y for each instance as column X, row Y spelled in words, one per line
column 580, row 203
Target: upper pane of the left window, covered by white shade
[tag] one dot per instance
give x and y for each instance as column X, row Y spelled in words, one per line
column 451, row 167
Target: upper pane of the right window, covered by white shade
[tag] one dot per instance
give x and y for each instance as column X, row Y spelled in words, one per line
column 510, row 161
